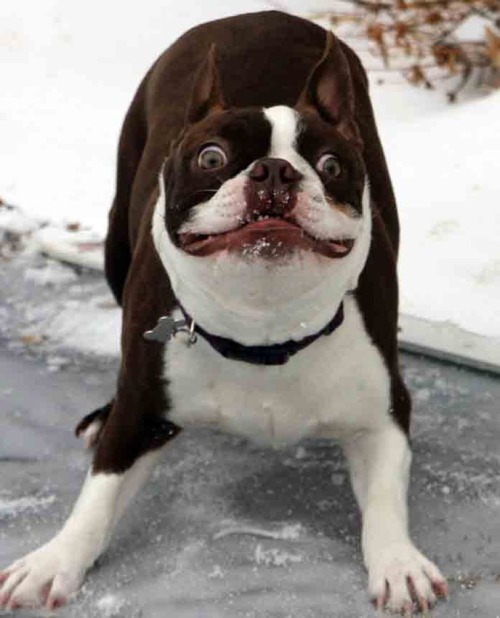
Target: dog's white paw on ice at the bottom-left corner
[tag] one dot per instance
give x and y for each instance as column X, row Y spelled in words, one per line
column 46, row 577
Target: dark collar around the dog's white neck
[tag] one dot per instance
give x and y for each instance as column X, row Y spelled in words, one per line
column 276, row 354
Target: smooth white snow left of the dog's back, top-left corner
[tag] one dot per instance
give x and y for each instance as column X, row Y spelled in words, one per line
column 68, row 79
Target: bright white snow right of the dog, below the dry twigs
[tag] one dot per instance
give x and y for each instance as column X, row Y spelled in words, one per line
column 443, row 167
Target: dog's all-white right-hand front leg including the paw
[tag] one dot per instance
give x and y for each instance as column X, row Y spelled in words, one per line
column 398, row 573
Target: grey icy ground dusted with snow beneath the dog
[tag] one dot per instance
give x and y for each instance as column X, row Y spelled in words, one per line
column 224, row 529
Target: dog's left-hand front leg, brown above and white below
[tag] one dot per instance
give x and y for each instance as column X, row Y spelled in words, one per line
column 128, row 441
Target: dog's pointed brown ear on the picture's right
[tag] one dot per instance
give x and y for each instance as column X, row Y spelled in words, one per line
column 329, row 90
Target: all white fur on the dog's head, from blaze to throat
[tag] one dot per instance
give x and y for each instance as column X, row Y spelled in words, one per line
column 261, row 301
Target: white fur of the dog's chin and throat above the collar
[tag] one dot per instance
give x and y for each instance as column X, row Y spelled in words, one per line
column 255, row 302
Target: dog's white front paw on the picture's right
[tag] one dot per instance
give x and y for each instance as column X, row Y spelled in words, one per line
column 400, row 577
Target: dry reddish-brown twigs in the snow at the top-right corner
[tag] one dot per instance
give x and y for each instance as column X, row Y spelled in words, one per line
column 426, row 40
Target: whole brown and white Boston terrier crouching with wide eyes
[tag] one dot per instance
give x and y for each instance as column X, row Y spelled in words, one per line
column 254, row 207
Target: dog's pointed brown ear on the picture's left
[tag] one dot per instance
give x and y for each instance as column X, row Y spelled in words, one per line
column 206, row 95
